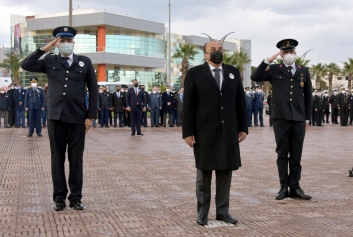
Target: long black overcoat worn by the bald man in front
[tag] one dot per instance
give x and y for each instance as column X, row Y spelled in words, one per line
column 215, row 117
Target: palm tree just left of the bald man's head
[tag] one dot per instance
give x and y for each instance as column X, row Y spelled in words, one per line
column 185, row 52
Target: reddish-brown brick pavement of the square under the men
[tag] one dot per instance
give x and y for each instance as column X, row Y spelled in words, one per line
column 145, row 186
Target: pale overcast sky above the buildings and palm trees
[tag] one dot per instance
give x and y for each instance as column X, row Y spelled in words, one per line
column 323, row 25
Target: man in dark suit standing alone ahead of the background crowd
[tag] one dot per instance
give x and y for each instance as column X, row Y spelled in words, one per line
column 135, row 104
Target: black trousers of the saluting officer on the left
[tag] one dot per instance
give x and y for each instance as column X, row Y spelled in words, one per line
column 71, row 136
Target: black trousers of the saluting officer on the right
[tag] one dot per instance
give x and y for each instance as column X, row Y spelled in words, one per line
column 289, row 137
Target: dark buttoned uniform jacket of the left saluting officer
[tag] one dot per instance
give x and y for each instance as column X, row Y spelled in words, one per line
column 67, row 88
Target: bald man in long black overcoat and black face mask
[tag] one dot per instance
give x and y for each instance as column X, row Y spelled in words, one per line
column 214, row 122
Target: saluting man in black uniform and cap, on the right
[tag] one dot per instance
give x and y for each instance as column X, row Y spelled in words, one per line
column 291, row 112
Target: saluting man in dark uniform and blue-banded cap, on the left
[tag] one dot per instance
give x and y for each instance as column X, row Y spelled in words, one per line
column 68, row 118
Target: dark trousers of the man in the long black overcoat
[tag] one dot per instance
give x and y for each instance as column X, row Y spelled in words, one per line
column 203, row 190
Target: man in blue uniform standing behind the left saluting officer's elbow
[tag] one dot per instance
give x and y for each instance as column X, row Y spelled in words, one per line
column 34, row 104
